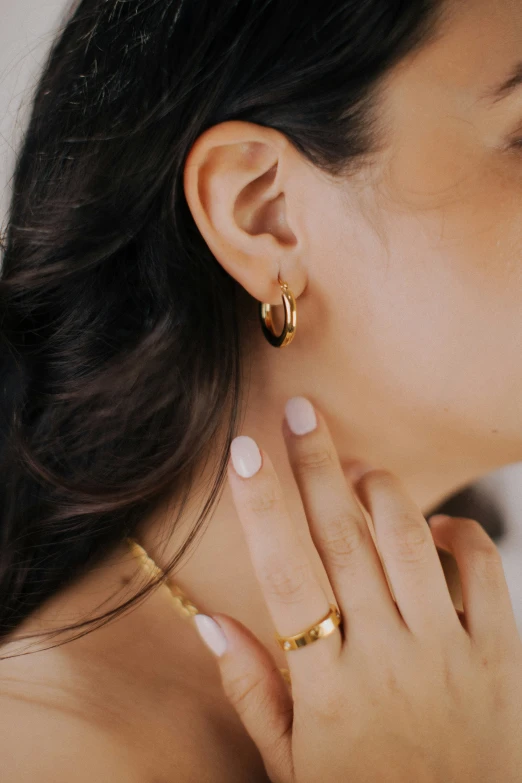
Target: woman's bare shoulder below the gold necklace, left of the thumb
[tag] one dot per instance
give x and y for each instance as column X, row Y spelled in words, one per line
column 102, row 708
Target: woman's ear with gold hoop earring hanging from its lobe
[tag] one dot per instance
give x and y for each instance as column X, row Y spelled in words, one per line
column 239, row 182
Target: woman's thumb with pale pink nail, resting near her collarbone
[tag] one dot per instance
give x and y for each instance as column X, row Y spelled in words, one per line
column 256, row 689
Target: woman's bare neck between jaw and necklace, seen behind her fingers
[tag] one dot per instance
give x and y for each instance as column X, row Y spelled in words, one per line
column 218, row 564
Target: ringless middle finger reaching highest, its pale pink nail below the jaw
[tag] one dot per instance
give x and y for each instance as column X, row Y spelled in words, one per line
column 337, row 524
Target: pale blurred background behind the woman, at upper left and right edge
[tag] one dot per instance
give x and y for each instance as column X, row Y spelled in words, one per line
column 26, row 32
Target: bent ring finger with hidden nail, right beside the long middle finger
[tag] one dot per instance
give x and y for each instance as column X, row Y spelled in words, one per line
column 409, row 554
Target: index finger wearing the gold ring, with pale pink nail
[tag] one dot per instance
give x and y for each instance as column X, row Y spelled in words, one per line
column 291, row 588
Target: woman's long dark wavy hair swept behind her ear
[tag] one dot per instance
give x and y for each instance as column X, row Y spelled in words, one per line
column 120, row 350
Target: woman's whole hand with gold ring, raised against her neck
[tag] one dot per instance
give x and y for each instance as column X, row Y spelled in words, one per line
column 405, row 690
